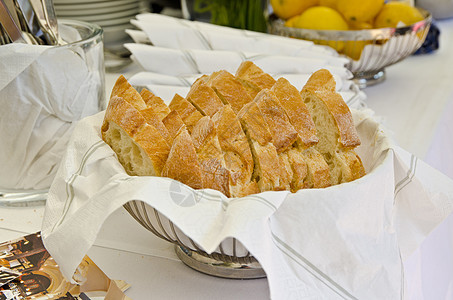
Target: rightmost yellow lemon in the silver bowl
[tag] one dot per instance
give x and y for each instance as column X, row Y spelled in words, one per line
column 395, row 12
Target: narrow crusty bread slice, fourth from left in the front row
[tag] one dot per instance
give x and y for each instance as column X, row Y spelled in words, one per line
column 236, row 152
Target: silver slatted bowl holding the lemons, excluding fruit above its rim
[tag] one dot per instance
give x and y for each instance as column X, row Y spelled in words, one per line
column 369, row 51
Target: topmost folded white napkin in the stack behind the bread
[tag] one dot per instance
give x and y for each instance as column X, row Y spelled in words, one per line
column 196, row 35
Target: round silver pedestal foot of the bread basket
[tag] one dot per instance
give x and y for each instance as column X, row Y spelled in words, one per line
column 219, row 268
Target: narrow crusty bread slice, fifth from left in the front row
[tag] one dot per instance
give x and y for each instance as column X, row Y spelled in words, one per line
column 266, row 161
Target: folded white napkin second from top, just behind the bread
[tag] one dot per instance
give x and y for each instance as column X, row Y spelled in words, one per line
column 195, row 61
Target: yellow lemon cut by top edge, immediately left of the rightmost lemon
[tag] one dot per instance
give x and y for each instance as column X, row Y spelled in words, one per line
column 359, row 10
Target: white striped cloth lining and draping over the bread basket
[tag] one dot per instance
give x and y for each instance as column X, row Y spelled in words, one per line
column 342, row 242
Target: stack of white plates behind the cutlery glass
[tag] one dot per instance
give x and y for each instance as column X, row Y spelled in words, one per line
column 112, row 15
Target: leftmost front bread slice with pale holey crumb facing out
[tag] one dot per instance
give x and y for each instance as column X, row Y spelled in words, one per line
column 140, row 147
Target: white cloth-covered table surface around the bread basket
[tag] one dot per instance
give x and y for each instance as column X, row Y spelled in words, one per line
column 415, row 102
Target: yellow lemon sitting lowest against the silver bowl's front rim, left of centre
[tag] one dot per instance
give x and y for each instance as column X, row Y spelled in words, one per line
column 322, row 18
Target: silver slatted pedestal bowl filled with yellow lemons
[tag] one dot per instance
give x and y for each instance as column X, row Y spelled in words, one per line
column 371, row 33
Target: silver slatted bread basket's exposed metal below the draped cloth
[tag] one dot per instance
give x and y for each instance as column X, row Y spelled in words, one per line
column 218, row 264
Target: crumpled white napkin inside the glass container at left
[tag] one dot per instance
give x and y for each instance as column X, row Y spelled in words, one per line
column 42, row 93
